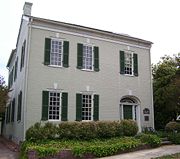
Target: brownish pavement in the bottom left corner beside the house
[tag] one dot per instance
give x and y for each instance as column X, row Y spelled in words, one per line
column 8, row 150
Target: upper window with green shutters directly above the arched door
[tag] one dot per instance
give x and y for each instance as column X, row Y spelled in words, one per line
column 128, row 63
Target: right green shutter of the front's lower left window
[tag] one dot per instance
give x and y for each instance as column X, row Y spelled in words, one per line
column 64, row 107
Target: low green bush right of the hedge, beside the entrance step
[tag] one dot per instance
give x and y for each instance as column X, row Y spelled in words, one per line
column 150, row 139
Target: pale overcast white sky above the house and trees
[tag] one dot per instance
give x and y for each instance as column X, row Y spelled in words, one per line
column 157, row 21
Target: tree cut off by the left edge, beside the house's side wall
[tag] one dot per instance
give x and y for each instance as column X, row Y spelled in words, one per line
column 3, row 95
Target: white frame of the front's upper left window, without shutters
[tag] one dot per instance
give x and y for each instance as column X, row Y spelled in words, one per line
column 61, row 62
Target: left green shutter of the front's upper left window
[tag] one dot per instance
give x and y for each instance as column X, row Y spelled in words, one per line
column 47, row 51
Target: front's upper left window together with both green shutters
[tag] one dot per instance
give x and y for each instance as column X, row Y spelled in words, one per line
column 56, row 52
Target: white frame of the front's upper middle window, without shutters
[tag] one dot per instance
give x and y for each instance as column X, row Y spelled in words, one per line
column 92, row 62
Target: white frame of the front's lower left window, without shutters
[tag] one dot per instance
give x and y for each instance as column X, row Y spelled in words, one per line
column 60, row 95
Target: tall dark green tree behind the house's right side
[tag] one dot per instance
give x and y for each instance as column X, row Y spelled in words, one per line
column 166, row 89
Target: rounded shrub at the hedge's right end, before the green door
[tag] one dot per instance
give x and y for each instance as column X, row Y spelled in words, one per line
column 129, row 127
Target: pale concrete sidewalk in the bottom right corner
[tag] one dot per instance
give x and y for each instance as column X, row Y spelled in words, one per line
column 148, row 154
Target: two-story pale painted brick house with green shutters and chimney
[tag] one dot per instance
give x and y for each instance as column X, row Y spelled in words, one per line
column 65, row 72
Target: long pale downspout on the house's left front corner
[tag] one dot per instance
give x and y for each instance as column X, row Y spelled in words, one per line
column 26, row 77
